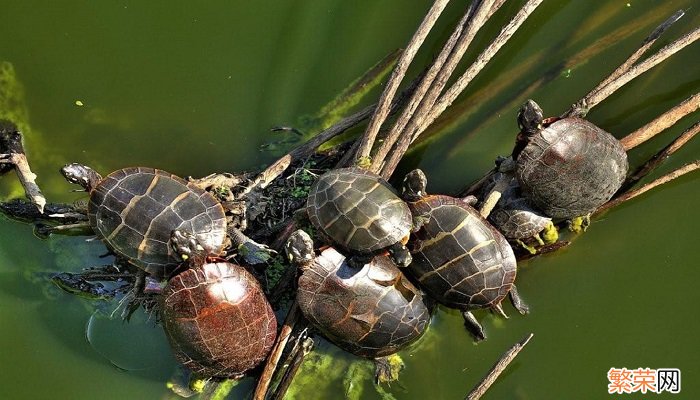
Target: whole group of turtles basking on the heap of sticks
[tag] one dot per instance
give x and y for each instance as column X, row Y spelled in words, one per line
column 385, row 255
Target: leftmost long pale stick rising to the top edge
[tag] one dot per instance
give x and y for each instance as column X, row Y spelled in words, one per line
column 397, row 76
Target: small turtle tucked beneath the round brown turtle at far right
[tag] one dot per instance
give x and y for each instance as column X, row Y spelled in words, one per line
column 516, row 219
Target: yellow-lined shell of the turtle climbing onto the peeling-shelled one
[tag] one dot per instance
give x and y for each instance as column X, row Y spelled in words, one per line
column 358, row 210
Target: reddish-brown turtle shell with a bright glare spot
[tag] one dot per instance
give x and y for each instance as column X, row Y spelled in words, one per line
column 217, row 319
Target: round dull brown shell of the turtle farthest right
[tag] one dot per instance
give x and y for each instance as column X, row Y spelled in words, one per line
column 570, row 168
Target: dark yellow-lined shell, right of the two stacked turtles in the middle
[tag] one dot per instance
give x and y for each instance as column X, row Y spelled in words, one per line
column 458, row 257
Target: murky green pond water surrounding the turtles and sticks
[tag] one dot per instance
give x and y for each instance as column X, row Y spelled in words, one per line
column 194, row 89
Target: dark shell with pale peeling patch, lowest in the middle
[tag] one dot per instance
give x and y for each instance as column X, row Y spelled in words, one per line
column 370, row 312
